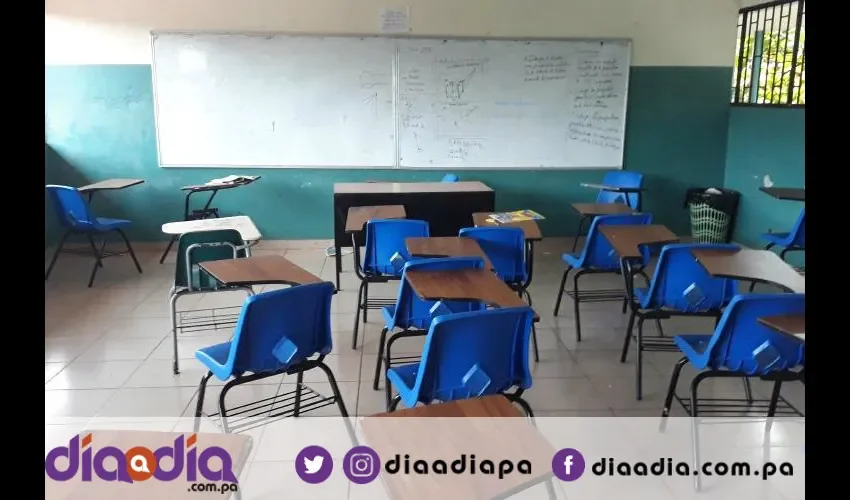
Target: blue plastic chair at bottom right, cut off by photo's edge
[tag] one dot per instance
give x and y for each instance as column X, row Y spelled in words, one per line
column 741, row 346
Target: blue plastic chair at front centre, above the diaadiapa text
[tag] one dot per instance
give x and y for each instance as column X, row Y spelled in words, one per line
column 468, row 355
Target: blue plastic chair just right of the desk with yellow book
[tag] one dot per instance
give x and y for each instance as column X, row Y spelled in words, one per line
column 597, row 257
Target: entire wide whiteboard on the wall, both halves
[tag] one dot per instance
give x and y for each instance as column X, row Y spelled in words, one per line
column 260, row 100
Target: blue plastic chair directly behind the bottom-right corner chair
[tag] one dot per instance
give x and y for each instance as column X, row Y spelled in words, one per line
column 679, row 287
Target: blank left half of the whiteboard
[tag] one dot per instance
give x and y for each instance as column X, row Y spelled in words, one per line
column 274, row 100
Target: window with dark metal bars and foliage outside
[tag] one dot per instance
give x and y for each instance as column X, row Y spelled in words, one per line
column 770, row 62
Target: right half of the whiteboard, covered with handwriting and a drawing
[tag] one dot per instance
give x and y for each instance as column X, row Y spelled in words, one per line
column 512, row 104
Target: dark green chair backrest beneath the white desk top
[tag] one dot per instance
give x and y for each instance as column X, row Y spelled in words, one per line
column 204, row 246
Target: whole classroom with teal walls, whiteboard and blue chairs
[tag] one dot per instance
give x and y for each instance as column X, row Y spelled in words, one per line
column 555, row 210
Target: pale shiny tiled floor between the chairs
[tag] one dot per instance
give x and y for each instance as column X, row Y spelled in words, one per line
column 107, row 349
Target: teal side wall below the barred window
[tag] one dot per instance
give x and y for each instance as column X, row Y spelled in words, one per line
column 765, row 141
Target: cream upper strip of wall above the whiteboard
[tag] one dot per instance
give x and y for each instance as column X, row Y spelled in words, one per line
column 664, row 32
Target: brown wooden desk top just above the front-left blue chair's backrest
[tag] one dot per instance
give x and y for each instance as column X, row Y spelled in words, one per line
column 258, row 270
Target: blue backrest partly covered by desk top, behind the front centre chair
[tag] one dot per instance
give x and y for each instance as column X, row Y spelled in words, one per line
column 413, row 312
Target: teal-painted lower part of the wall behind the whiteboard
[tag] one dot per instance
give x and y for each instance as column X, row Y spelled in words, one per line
column 101, row 125
